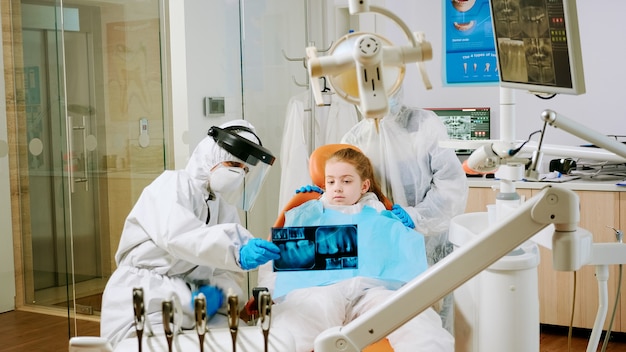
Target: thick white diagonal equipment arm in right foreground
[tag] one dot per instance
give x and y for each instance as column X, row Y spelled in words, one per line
column 551, row 206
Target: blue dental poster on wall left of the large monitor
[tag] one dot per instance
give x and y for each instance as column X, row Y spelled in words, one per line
column 470, row 54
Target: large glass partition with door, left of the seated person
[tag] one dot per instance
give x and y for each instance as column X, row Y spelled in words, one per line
column 90, row 127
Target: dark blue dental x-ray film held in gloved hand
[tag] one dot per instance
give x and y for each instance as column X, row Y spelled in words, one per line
column 316, row 247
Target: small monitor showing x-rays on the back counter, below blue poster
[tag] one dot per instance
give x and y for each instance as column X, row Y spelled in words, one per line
column 466, row 124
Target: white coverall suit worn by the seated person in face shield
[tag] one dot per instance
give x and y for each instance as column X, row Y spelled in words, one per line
column 177, row 235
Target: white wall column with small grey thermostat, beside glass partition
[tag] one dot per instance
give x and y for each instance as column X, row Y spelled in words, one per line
column 205, row 59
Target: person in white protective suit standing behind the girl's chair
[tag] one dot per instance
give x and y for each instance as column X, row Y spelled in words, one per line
column 425, row 181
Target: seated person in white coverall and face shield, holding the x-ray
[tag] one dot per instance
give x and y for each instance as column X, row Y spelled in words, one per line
column 182, row 234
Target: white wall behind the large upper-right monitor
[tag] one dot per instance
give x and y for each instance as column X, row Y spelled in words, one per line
column 600, row 108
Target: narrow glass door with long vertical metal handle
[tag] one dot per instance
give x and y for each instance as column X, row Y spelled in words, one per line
column 62, row 147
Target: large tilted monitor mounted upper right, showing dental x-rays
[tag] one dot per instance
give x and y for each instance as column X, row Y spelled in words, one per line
column 538, row 45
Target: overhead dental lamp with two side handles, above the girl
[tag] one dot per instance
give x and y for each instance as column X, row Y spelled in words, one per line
column 368, row 58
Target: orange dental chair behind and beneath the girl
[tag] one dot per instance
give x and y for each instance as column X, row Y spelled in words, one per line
column 317, row 164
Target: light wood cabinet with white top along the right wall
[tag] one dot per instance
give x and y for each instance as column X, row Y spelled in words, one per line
column 602, row 208
